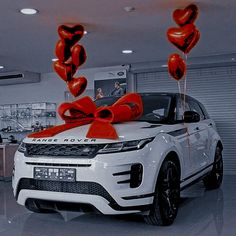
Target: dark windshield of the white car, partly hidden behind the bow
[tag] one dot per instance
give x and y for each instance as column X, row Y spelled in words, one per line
column 156, row 107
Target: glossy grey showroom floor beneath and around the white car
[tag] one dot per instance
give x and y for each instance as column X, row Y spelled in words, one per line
column 201, row 212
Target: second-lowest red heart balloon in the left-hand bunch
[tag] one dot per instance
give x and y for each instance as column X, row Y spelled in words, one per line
column 65, row 71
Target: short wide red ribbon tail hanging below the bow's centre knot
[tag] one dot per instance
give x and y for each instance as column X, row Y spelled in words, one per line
column 102, row 129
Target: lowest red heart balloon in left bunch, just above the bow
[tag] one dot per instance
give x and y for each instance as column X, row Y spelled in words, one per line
column 77, row 86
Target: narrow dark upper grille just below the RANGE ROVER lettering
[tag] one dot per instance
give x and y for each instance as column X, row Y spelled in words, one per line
column 63, row 150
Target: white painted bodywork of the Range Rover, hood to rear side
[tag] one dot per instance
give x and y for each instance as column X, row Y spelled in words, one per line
column 194, row 144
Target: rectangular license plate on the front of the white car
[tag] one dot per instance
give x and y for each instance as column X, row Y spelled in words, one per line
column 55, row 174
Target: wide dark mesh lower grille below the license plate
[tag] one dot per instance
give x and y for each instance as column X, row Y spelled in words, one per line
column 91, row 188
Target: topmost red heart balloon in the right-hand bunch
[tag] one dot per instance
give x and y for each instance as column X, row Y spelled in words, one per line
column 185, row 16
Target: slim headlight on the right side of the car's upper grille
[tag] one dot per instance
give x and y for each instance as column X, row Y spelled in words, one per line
column 125, row 146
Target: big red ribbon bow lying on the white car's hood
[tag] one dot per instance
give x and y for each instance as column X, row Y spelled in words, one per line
column 84, row 111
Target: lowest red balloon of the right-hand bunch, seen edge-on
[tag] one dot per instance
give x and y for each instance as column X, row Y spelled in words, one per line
column 176, row 66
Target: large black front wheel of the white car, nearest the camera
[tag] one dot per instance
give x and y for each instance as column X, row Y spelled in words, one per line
column 167, row 194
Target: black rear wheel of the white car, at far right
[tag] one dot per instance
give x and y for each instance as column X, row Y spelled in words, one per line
column 214, row 179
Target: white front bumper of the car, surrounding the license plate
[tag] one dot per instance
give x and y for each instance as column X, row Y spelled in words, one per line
column 102, row 182
